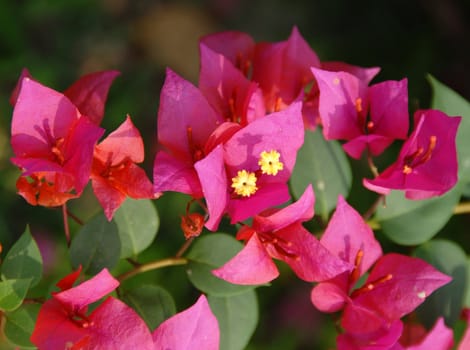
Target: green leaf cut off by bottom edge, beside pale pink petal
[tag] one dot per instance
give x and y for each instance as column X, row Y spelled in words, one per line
column 238, row 318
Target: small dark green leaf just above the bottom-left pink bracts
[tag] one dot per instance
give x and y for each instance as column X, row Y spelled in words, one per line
column 153, row 303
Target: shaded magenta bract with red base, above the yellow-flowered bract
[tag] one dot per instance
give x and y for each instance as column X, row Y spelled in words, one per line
column 228, row 91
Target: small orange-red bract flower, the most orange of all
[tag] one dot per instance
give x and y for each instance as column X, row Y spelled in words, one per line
column 115, row 174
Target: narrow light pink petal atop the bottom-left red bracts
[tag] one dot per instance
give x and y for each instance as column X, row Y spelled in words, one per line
column 77, row 298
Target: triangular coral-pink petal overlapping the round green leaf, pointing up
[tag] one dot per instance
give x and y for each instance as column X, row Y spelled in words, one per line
column 251, row 266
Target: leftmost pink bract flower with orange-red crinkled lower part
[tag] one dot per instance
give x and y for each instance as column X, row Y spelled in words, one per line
column 53, row 145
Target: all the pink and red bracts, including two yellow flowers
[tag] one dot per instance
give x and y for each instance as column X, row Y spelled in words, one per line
column 231, row 144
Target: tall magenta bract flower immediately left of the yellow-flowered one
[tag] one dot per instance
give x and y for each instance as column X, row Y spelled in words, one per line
column 185, row 122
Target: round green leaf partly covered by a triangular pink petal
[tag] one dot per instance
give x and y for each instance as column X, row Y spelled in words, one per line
column 208, row 253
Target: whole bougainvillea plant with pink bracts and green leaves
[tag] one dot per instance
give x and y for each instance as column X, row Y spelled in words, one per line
column 262, row 150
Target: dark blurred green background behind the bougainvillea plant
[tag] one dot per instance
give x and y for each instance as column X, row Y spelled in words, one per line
column 60, row 40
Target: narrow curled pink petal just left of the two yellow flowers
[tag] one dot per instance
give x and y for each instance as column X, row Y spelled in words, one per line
column 211, row 172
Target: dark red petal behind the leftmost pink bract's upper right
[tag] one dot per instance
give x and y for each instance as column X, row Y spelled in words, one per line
column 89, row 94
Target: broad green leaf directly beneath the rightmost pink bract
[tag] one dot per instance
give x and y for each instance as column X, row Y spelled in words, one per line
column 412, row 222
